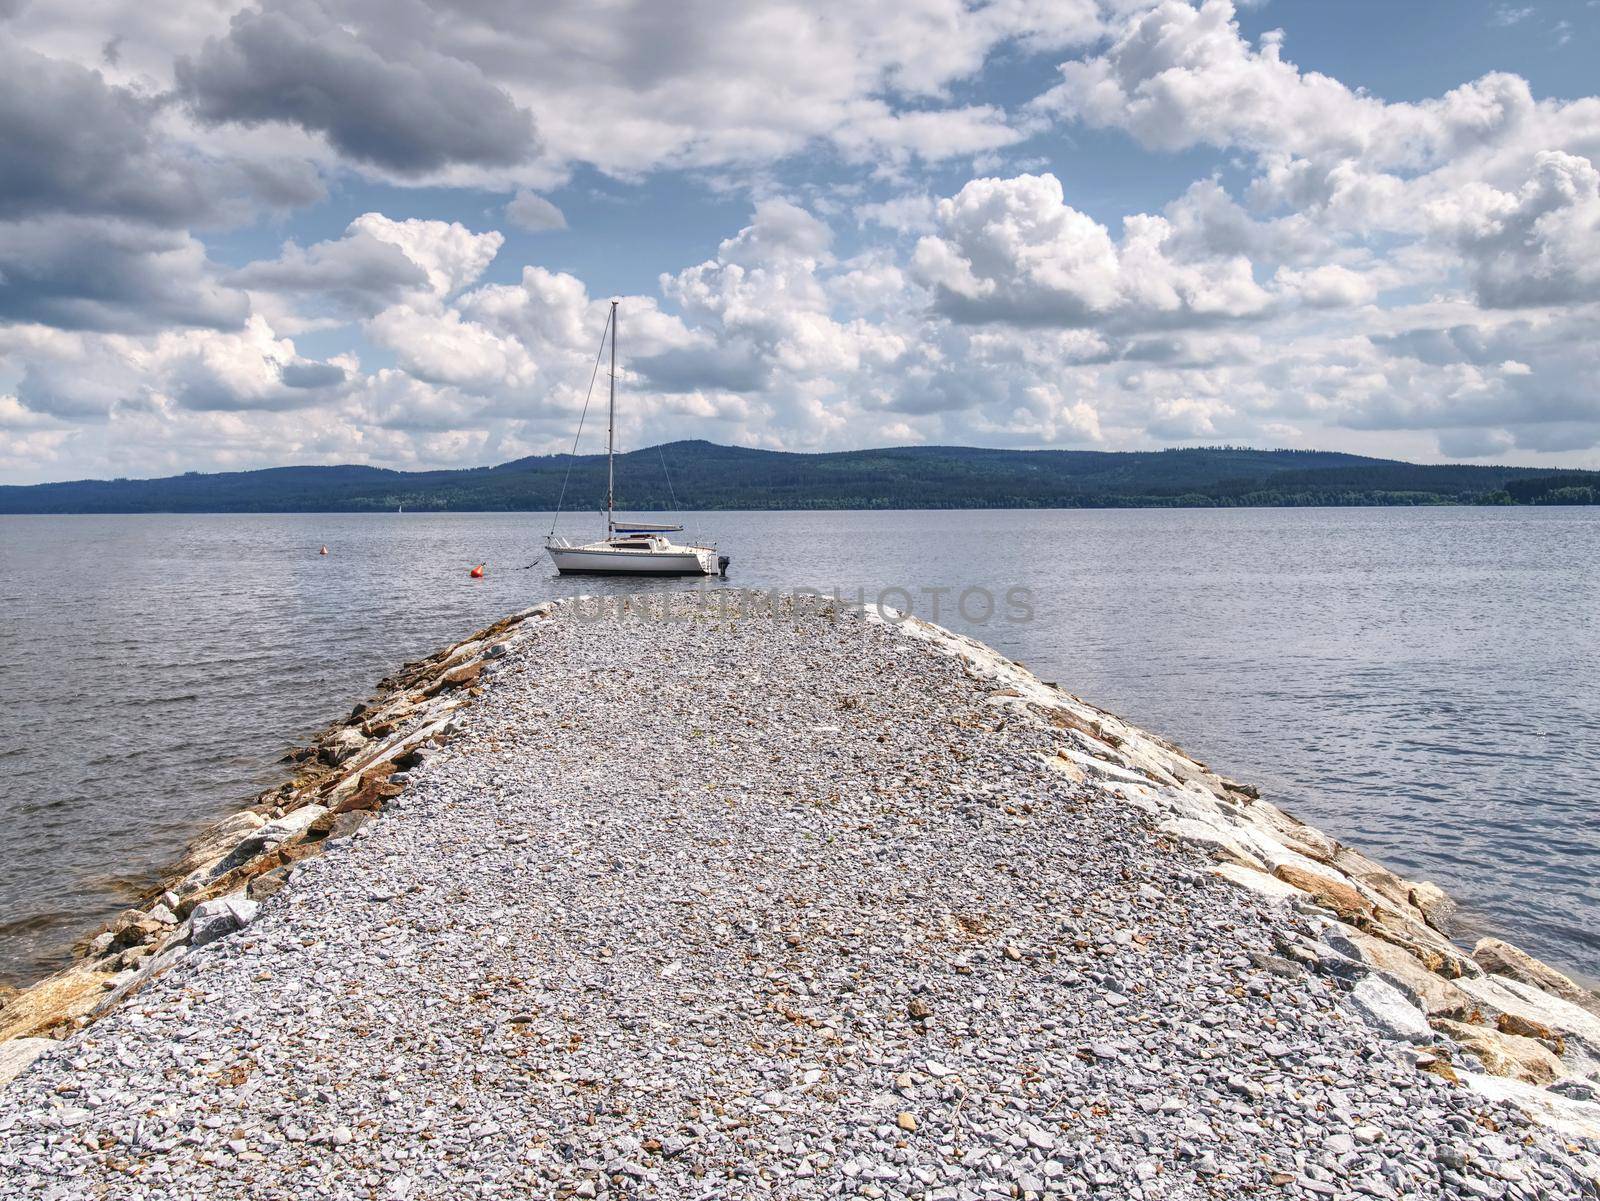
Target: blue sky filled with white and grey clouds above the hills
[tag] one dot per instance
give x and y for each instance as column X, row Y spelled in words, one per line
column 343, row 231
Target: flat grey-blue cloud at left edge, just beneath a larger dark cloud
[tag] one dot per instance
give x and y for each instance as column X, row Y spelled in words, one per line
column 97, row 274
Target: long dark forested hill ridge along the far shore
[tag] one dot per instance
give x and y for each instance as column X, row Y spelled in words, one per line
column 705, row 476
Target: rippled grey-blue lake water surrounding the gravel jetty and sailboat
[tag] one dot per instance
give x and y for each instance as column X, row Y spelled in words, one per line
column 1422, row 684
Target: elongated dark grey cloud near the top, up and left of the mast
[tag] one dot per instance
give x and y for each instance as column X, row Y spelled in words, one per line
column 407, row 110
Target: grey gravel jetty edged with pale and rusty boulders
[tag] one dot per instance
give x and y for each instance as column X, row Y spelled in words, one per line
column 745, row 898
